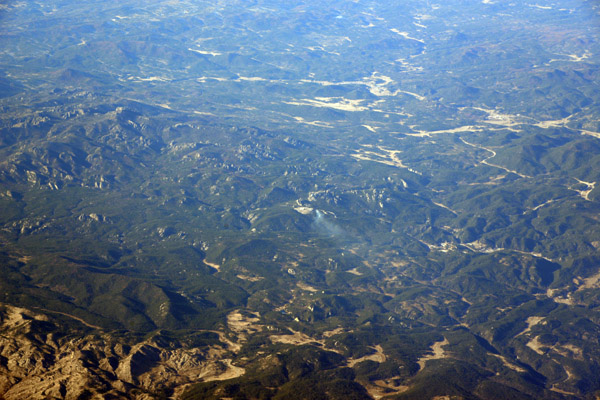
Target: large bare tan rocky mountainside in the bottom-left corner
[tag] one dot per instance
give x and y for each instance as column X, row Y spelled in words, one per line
column 38, row 361
